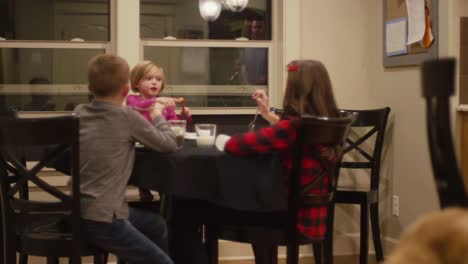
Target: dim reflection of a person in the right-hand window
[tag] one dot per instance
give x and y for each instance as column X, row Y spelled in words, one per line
column 254, row 61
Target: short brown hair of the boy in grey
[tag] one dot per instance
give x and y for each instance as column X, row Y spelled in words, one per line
column 107, row 74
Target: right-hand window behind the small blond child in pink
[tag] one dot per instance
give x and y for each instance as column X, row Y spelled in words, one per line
column 212, row 64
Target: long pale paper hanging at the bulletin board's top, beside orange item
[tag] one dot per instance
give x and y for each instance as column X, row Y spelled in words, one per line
column 416, row 20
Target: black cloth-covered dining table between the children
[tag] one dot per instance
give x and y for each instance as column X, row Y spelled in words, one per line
column 253, row 183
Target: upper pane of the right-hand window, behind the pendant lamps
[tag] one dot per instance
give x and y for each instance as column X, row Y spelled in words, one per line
column 181, row 19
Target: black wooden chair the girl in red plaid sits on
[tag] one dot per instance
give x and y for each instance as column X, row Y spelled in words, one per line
column 281, row 227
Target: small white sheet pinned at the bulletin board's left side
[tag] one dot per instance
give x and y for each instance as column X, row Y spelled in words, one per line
column 396, row 37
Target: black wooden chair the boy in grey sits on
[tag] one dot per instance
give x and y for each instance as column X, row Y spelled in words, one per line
column 36, row 227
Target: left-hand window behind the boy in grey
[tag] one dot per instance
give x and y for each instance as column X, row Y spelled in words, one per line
column 44, row 49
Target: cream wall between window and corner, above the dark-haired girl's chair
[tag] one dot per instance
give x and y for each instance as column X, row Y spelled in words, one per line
column 335, row 32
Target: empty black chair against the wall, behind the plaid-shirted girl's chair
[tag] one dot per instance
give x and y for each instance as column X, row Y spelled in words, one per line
column 375, row 121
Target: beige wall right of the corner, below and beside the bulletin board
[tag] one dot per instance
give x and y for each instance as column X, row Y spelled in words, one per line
column 409, row 168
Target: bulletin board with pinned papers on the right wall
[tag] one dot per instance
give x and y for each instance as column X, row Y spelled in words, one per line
column 395, row 12
